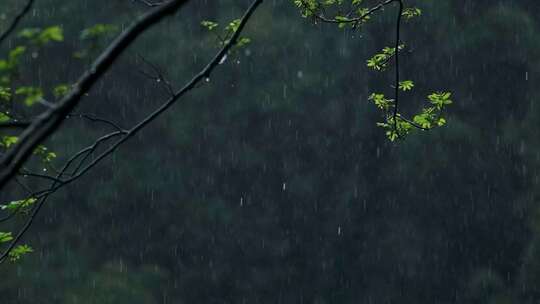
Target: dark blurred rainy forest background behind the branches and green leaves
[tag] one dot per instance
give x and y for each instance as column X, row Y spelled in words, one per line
column 272, row 183
